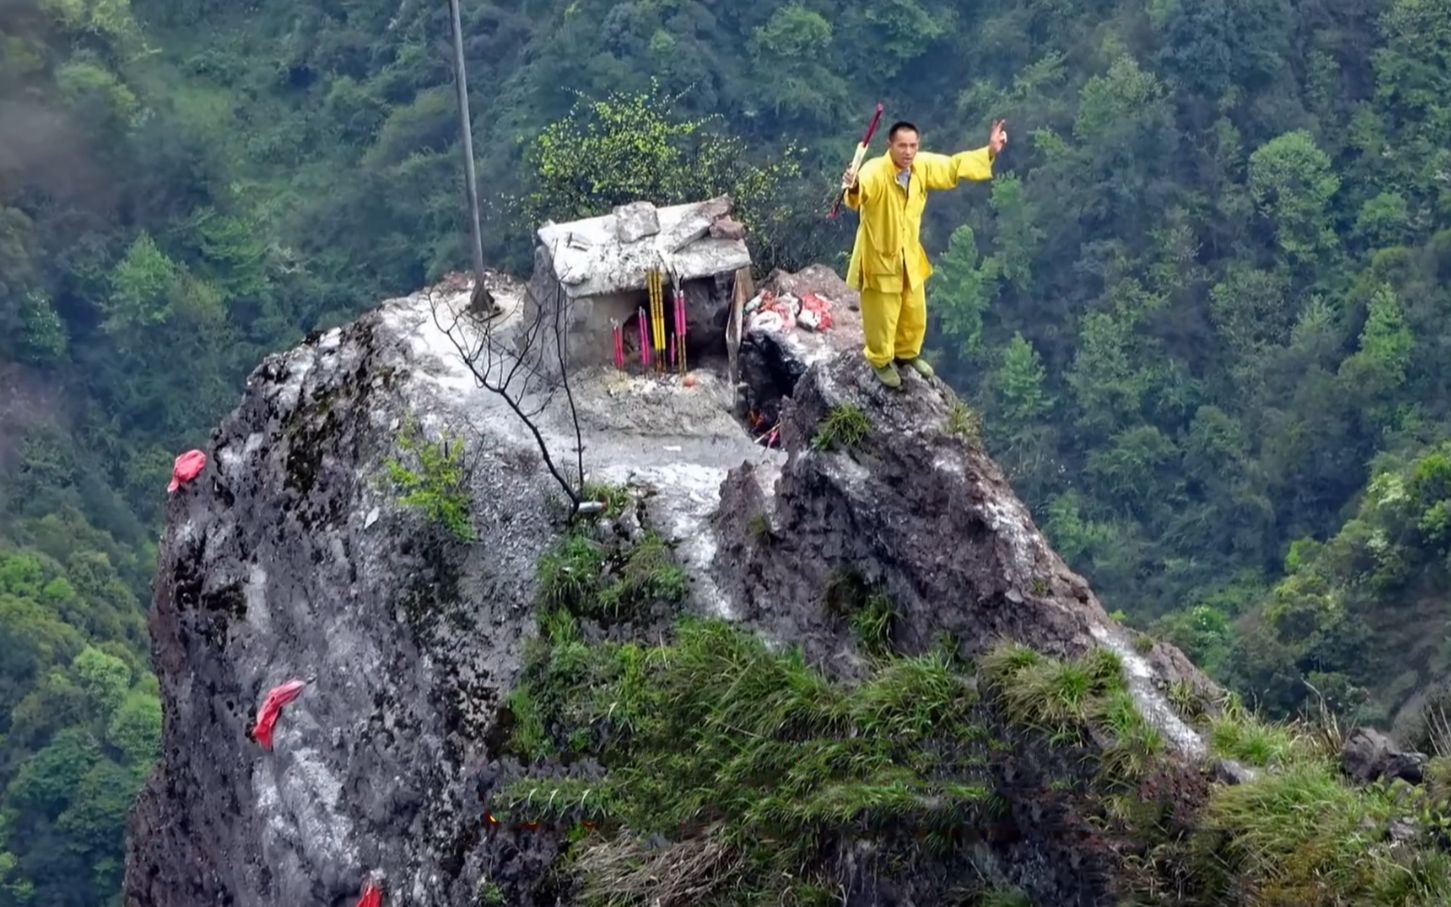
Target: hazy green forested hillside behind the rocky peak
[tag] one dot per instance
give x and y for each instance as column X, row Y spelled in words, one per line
column 1202, row 307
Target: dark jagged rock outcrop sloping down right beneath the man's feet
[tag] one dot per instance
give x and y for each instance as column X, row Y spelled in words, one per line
column 921, row 513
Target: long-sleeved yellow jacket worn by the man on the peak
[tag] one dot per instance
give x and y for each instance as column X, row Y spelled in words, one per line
column 889, row 239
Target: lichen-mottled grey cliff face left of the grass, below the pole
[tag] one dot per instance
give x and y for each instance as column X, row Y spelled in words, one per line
column 289, row 559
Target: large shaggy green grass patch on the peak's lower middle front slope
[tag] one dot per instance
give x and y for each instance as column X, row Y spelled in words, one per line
column 745, row 761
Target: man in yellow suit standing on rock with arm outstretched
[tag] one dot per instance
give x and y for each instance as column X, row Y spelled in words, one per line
column 889, row 265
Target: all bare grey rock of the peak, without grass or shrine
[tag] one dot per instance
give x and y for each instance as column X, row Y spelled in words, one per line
column 292, row 558
